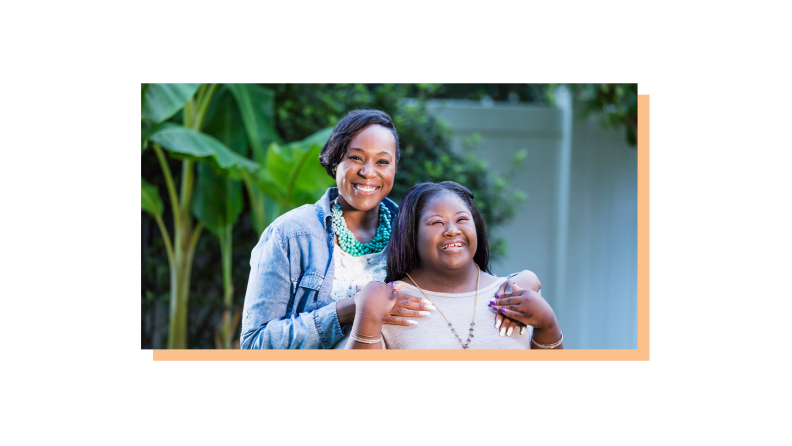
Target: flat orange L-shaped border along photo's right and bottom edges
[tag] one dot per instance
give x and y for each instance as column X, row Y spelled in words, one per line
column 639, row 354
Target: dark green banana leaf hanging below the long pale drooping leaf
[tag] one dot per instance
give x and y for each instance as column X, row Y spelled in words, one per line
column 218, row 199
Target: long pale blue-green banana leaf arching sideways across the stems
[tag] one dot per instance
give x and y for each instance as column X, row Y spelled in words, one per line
column 189, row 143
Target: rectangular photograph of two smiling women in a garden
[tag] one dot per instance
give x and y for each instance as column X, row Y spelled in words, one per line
column 389, row 216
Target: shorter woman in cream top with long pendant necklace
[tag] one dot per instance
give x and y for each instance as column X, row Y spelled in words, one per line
column 438, row 251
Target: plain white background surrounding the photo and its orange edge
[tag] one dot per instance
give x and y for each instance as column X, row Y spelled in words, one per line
column 718, row 76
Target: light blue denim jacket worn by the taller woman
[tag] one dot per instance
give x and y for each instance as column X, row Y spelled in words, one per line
column 288, row 303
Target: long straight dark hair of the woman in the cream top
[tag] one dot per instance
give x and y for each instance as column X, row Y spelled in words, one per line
column 403, row 247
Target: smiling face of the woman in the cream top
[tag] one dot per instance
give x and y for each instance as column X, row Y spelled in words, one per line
column 446, row 233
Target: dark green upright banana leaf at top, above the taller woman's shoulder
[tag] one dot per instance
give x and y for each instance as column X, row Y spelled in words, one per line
column 257, row 108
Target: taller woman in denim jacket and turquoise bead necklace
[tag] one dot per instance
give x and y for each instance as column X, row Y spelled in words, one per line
column 310, row 262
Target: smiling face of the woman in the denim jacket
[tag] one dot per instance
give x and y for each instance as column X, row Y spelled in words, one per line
column 365, row 174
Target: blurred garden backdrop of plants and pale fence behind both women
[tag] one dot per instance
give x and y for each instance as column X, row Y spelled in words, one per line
column 553, row 168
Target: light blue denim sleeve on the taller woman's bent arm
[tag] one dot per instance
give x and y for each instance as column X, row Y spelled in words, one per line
column 265, row 323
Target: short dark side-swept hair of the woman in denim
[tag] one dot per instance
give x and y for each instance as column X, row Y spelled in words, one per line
column 350, row 125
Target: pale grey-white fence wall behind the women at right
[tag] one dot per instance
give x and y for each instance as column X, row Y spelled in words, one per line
column 579, row 177
